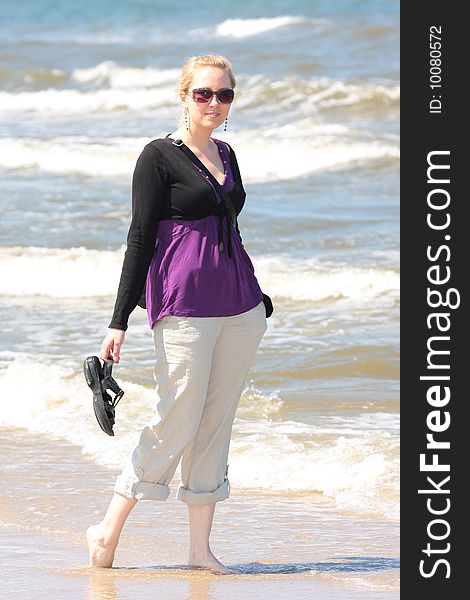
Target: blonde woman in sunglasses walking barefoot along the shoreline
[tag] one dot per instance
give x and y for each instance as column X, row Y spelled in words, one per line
column 204, row 306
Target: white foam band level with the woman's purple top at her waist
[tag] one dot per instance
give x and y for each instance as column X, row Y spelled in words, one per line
column 81, row 273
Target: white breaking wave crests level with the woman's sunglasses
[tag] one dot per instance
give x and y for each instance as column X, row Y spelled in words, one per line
column 110, row 87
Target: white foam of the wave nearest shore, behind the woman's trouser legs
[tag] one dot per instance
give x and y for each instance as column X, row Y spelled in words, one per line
column 356, row 465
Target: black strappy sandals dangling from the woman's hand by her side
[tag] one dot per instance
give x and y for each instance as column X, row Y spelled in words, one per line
column 99, row 378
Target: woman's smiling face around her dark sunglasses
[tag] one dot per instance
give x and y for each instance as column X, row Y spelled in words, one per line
column 209, row 114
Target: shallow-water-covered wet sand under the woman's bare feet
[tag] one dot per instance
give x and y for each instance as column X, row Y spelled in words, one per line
column 289, row 546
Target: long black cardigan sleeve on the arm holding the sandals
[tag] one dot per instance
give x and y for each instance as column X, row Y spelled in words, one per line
column 149, row 188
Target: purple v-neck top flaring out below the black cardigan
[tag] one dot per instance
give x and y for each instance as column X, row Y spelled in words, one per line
column 189, row 276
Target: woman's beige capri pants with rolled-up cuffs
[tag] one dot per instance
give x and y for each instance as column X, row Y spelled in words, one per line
column 200, row 372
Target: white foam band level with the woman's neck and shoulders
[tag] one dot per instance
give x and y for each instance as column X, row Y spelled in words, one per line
column 273, row 155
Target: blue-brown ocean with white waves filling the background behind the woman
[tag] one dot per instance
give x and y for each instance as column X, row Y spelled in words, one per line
column 315, row 124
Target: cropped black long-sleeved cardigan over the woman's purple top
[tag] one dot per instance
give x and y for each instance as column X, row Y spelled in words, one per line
column 165, row 185
